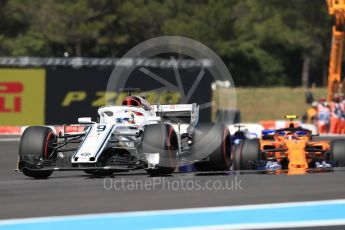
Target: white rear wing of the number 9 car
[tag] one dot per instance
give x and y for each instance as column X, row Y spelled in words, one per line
column 178, row 113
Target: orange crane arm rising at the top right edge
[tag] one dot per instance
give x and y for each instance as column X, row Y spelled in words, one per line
column 336, row 8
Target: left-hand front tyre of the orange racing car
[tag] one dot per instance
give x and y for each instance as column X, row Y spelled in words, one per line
column 245, row 154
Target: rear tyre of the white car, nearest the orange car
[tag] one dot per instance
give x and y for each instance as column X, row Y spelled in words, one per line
column 211, row 143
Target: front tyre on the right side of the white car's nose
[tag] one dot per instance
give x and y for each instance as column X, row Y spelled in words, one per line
column 162, row 139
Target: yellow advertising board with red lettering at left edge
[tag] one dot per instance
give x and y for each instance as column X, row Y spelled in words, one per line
column 22, row 93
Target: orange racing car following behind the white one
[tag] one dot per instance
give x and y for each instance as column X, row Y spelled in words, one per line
column 291, row 148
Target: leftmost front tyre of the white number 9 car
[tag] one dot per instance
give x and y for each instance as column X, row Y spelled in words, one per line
column 34, row 148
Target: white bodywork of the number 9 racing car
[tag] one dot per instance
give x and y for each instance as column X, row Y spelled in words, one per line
column 126, row 123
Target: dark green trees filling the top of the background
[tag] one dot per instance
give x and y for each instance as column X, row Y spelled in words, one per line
column 263, row 42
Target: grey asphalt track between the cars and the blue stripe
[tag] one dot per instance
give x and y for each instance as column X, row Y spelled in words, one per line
column 68, row 193
